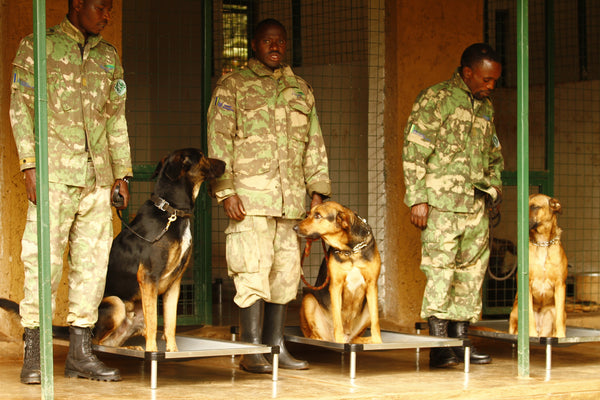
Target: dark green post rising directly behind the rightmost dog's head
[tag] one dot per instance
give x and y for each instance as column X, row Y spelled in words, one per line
column 549, row 103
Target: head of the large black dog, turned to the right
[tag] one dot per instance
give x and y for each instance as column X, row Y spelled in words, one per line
column 186, row 168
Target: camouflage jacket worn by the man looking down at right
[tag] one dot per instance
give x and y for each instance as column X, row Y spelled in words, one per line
column 450, row 148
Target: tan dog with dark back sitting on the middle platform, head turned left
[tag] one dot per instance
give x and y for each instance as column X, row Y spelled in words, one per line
column 344, row 311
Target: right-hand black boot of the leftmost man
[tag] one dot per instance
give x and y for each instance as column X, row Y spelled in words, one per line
column 81, row 361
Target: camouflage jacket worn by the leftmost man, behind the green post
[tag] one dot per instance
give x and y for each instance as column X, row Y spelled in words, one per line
column 86, row 107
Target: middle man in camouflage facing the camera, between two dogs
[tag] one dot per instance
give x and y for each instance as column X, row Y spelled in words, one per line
column 263, row 123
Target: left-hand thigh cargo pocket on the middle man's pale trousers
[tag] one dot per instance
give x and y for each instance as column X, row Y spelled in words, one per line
column 242, row 247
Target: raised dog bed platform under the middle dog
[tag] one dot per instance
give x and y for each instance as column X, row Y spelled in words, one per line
column 390, row 341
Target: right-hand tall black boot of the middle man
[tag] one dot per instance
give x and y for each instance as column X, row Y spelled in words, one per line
column 273, row 336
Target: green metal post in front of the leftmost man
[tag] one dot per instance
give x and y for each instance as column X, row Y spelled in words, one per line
column 43, row 203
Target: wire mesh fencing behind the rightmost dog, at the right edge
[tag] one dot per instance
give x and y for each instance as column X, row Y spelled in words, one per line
column 564, row 116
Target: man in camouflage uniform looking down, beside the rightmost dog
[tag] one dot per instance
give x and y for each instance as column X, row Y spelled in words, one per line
column 452, row 165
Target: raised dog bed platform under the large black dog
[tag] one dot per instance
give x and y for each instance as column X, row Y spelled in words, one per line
column 190, row 348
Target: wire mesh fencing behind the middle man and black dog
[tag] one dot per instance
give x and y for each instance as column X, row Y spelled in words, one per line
column 336, row 46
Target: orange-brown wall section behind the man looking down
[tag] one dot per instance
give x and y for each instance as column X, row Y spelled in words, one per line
column 424, row 41
